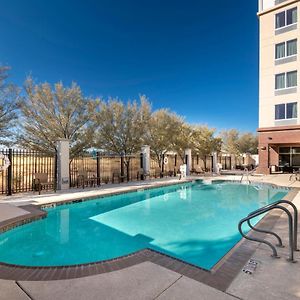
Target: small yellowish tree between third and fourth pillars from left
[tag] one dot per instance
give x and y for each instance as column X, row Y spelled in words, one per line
column 205, row 142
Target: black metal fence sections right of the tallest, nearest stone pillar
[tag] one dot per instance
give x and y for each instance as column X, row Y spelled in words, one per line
column 98, row 169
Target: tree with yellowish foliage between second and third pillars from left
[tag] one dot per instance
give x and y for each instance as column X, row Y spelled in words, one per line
column 162, row 133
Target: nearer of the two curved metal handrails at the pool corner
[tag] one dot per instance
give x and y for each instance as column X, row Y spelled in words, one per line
column 262, row 211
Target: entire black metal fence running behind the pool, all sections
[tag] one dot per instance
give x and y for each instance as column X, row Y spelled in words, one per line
column 94, row 168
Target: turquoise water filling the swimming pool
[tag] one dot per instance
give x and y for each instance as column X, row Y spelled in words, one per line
column 195, row 222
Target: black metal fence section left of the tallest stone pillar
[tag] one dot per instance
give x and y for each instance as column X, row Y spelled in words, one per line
column 24, row 165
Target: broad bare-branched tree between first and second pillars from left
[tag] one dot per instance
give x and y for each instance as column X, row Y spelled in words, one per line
column 121, row 128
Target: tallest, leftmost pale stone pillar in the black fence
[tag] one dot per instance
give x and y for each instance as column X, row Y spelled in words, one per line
column 63, row 164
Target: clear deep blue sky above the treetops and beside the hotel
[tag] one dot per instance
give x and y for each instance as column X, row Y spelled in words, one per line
column 198, row 58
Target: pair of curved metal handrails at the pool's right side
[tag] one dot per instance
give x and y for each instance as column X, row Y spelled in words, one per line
column 292, row 222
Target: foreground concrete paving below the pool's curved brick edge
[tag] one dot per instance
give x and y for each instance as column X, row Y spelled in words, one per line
column 143, row 281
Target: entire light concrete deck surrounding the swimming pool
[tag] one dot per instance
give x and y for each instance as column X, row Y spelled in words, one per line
column 151, row 279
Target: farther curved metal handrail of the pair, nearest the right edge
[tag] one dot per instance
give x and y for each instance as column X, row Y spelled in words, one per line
column 295, row 229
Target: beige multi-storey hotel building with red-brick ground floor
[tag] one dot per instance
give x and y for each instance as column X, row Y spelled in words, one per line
column 279, row 88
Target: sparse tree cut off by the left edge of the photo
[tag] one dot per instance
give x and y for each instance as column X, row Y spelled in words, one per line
column 9, row 95
